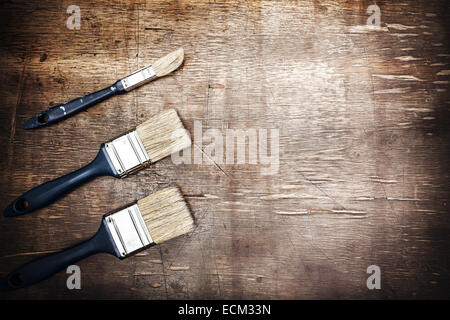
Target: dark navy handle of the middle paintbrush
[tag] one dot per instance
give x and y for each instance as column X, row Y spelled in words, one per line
column 48, row 192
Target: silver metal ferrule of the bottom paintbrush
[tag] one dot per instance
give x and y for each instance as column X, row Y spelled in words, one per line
column 128, row 230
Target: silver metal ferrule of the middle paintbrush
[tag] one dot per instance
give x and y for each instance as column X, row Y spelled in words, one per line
column 127, row 153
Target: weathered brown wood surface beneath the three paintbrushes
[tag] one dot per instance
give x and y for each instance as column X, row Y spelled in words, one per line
column 364, row 140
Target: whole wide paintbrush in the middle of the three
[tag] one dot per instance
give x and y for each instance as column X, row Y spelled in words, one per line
column 156, row 138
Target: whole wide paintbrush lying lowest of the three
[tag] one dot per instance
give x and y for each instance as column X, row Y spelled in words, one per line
column 154, row 219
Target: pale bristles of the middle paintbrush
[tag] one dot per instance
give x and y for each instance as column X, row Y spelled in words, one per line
column 163, row 134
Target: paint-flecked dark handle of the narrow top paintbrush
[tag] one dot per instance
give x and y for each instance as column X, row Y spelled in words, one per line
column 65, row 110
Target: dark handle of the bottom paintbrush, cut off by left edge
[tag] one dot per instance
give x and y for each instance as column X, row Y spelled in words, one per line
column 45, row 267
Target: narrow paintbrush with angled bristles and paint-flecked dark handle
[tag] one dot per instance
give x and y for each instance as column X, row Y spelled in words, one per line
column 160, row 68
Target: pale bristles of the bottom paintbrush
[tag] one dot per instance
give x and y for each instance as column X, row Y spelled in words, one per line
column 166, row 214
